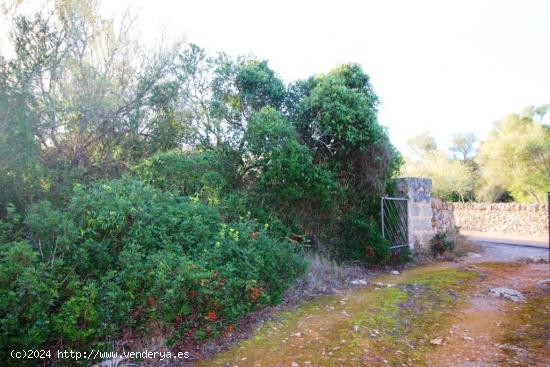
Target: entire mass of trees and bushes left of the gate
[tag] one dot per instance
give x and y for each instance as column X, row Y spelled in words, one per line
column 220, row 164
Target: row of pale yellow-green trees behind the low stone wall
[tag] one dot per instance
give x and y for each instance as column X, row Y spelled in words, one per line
column 512, row 164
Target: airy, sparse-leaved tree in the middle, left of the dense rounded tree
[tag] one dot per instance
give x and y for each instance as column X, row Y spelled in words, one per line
column 219, row 94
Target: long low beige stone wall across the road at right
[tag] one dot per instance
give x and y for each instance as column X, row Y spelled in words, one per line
column 523, row 219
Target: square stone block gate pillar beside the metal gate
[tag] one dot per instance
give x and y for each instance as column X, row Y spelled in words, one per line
column 419, row 192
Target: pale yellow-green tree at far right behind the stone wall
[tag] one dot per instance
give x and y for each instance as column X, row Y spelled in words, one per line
column 516, row 157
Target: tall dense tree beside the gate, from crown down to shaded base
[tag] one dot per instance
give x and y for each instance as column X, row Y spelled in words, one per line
column 336, row 118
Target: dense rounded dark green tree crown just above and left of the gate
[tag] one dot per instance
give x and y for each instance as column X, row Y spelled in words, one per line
column 336, row 117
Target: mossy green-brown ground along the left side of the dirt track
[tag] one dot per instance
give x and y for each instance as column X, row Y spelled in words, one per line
column 387, row 326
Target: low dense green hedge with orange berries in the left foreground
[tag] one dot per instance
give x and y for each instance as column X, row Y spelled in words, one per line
column 124, row 254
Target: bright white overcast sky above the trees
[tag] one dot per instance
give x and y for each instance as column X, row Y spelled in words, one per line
column 437, row 66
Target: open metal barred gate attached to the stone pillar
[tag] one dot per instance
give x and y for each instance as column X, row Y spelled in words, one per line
column 395, row 221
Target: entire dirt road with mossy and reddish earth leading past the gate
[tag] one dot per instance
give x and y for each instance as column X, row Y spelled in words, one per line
column 436, row 315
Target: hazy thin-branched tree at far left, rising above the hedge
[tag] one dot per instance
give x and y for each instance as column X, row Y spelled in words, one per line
column 80, row 99
